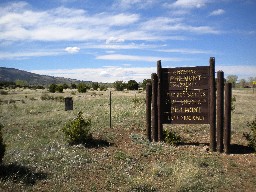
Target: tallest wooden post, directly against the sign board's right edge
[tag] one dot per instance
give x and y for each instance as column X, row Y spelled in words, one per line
column 212, row 104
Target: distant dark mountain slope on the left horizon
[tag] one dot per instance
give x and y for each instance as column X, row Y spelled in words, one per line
column 12, row 75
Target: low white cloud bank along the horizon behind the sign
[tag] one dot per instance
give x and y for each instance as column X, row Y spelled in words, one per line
column 114, row 73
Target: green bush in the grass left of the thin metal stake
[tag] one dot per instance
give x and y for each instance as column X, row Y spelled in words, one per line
column 77, row 131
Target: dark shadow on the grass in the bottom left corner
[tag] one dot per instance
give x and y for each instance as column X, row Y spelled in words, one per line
column 19, row 173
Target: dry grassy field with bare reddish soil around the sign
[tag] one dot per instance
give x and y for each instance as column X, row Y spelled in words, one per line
column 38, row 157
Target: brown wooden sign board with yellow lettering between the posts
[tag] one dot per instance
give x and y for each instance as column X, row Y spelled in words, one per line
column 185, row 95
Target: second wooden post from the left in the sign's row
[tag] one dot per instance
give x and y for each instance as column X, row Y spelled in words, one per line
column 154, row 107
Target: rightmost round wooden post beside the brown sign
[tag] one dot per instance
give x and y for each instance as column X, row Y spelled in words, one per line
column 227, row 122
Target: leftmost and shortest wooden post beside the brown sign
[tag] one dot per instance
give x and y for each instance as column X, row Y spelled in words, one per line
column 148, row 110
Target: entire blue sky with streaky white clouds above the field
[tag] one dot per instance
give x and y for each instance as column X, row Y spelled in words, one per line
column 109, row 40
